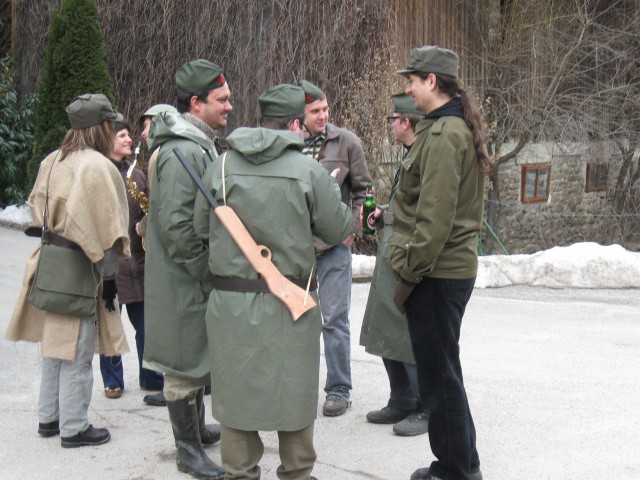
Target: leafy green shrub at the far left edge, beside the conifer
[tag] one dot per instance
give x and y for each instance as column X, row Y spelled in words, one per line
column 16, row 136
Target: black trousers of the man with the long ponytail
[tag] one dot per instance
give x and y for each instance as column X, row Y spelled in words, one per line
column 434, row 314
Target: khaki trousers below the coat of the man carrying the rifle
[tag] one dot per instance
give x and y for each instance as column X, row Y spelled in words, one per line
column 241, row 451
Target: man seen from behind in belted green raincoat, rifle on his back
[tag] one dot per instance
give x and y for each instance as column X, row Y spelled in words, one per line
column 265, row 365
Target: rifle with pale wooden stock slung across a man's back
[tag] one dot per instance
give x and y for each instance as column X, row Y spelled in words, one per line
column 259, row 256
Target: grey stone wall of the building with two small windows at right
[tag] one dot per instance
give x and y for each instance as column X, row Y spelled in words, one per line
column 570, row 214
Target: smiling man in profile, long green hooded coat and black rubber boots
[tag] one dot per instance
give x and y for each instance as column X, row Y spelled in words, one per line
column 177, row 278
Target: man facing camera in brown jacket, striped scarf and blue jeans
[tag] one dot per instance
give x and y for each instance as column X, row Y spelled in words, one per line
column 336, row 148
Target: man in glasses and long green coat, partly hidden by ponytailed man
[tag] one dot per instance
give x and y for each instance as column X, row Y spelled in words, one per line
column 384, row 329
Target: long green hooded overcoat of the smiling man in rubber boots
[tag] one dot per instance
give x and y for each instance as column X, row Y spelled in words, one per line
column 177, row 279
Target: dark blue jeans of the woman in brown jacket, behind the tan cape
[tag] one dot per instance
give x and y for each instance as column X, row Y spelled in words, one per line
column 111, row 367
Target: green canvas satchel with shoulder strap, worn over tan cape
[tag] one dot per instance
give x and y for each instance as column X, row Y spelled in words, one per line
column 65, row 282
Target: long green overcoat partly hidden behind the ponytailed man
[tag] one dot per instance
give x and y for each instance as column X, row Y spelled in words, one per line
column 384, row 329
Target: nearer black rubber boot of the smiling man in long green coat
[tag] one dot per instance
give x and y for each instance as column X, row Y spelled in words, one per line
column 190, row 457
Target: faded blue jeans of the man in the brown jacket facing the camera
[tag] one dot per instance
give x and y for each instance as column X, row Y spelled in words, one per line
column 334, row 294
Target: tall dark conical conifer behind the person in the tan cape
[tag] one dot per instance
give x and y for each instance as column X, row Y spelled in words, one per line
column 75, row 63
